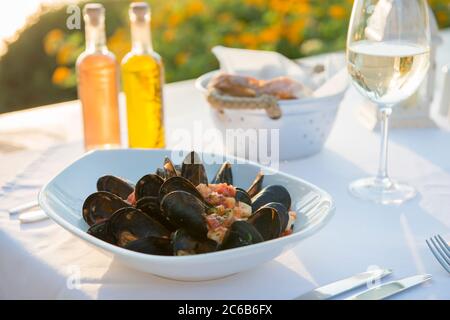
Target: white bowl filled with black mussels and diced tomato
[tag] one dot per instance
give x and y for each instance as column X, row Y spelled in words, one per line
column 184, row 215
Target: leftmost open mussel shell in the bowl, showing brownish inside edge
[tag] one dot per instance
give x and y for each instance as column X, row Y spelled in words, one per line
column 100, row 206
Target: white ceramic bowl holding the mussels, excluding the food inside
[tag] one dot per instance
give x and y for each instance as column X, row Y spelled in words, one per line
column 63, row 196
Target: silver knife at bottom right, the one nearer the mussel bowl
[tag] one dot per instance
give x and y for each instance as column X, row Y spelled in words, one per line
column 333, row 289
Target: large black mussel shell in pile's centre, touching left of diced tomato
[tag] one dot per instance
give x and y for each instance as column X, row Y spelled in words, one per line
column 185, row 211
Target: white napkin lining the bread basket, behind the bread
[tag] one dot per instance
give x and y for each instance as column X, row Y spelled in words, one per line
column 267, row 65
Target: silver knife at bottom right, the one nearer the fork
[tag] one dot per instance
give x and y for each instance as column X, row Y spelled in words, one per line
column 390, row 288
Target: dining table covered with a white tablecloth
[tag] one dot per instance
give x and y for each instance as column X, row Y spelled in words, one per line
column 41, row 260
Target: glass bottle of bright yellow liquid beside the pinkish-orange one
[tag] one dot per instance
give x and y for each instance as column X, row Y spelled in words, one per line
column 143, row 79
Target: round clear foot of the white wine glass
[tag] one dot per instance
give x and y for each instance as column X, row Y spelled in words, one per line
column 383, row 191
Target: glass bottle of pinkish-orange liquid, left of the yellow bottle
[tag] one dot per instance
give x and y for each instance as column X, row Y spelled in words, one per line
column 98, row 84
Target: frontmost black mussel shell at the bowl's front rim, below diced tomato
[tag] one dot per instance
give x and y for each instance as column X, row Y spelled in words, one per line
column 240, row 233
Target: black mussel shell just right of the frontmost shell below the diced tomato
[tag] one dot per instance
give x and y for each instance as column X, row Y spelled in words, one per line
column 268, row 223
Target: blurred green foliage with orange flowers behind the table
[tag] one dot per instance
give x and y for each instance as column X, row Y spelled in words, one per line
column 38, row 67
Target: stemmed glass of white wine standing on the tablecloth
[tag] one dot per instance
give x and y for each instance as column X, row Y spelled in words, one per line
column 388, row 55
